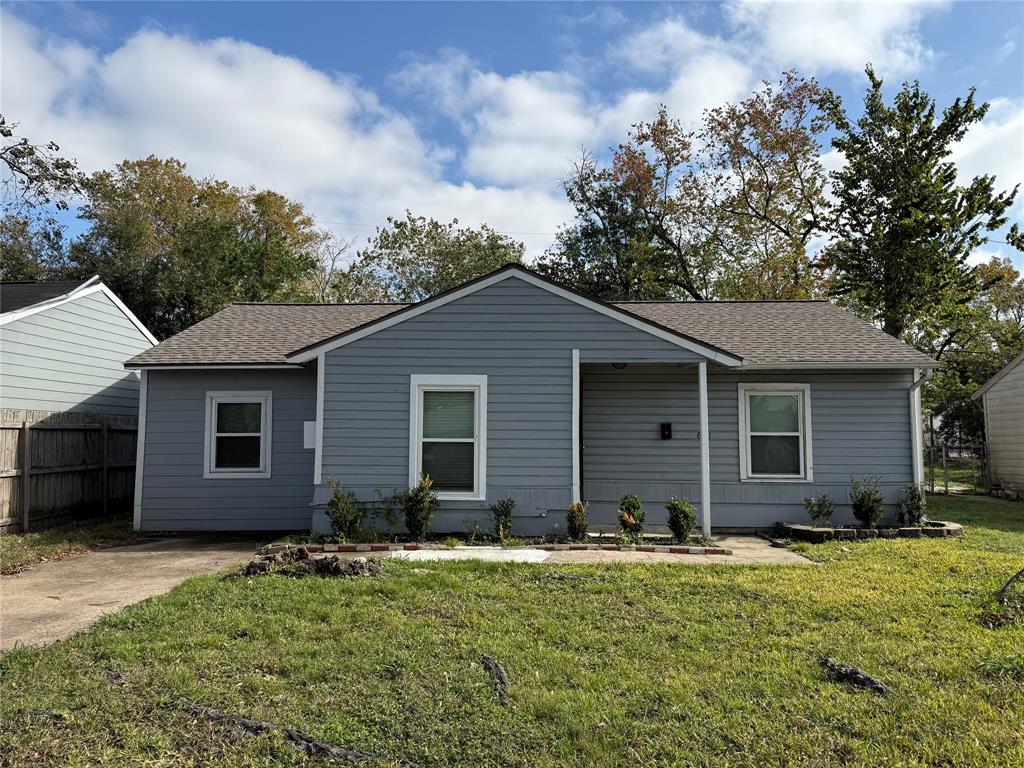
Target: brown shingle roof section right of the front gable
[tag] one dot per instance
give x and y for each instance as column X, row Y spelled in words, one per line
column 782, row 332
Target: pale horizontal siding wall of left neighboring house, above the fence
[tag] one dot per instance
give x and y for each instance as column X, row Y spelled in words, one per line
column 71, row 358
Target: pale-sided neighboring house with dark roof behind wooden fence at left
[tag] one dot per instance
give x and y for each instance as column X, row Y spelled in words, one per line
column 63, row 348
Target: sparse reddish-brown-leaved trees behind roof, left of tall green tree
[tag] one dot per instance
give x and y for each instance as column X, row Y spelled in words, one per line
column 727, row 211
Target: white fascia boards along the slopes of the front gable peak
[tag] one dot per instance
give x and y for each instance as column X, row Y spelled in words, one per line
column 714, row 356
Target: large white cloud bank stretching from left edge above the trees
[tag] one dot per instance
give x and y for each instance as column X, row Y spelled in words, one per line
column 243, row 113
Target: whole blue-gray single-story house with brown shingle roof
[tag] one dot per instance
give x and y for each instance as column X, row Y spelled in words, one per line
column 514, row 387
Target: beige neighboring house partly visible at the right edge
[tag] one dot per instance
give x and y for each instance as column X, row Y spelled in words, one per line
column 1003, row 398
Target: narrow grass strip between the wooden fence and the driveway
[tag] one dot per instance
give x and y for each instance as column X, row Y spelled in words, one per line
column 19, row 551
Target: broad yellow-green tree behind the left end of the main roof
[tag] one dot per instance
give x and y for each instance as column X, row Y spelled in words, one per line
column 179, row 249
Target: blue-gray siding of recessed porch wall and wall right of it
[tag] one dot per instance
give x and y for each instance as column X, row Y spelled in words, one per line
column 861, row 426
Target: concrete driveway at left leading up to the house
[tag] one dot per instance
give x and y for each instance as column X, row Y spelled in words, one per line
column 57, row 600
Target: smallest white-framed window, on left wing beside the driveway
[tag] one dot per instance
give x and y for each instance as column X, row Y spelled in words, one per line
column 238, row 435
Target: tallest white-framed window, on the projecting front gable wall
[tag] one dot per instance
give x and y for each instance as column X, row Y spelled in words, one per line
column 448, row 435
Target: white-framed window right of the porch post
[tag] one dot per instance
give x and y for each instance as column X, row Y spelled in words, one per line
column 776, row 433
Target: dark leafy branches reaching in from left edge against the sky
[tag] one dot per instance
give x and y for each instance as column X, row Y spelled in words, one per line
column 36, row 177
